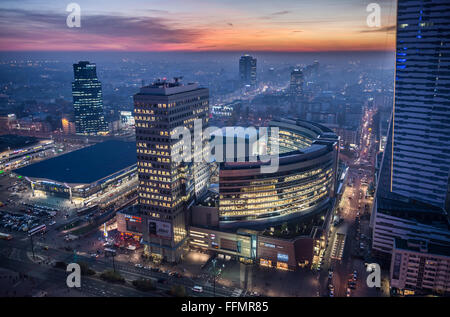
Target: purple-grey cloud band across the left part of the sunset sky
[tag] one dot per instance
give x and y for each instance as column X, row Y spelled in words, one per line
column 26, row 24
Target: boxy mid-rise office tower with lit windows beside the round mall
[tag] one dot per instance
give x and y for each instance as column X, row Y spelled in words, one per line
column 168, row 187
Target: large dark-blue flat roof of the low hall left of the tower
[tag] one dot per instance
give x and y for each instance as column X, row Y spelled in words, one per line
column 86, row 165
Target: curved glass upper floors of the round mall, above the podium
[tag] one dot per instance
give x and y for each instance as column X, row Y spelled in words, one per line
column 304, row 182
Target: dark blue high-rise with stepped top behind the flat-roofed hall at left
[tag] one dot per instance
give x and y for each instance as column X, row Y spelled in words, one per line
column 87, row 100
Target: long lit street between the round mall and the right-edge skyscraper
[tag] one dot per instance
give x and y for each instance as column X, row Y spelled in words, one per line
column 351, row 210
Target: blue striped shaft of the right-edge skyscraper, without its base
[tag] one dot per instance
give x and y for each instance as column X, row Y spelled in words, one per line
column 420, row 131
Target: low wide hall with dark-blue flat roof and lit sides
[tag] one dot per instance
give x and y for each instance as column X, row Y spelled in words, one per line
column 84, row 173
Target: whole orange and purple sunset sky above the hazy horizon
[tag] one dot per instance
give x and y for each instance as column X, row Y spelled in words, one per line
column 196, row 25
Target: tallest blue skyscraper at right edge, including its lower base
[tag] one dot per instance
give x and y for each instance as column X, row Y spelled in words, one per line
column 412, row 200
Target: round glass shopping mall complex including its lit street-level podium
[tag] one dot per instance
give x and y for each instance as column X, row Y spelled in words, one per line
column 278, row 219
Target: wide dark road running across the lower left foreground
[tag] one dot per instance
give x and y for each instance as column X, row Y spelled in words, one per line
column 16, row 255
